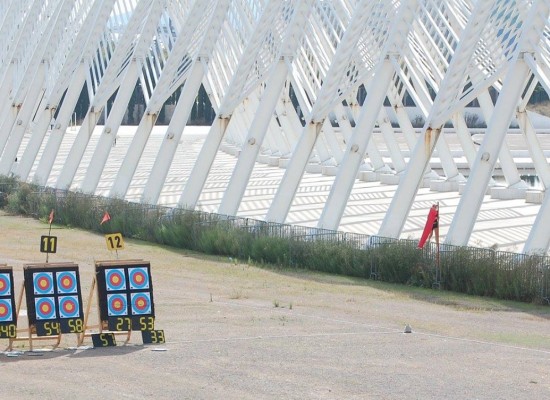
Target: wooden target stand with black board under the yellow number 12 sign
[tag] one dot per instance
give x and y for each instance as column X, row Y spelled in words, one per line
column 113, row 278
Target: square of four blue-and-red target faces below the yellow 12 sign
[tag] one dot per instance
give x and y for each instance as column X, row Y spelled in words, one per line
column 125, row 290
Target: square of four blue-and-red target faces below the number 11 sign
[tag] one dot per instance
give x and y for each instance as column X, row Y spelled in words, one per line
column 53, row 294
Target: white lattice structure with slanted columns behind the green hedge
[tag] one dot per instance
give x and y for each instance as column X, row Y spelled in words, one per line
column 283, row 77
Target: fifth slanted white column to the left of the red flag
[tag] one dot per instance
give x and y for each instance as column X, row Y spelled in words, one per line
column 201, row 168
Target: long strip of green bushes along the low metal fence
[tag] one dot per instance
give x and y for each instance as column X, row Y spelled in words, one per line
column 470, row 270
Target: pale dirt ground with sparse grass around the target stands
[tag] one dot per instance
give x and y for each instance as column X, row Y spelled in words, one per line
column 235, row 331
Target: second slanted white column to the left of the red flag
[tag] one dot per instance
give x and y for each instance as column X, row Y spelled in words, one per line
column 356, row 147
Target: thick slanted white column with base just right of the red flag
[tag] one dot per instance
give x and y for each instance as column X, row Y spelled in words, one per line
column 468, row 207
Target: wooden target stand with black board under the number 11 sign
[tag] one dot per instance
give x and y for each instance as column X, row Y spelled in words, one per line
column 51, row 328
